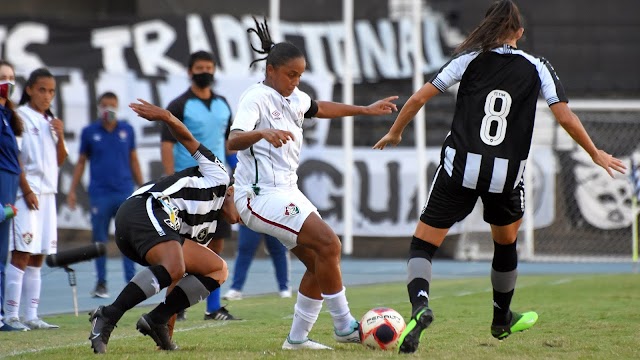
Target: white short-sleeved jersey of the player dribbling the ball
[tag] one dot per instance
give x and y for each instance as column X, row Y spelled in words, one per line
column 263, row 165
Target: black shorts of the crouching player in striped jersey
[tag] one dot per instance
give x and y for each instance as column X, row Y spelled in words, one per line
column 140, row 226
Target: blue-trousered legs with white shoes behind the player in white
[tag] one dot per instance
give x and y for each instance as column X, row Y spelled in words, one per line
column 248, row 241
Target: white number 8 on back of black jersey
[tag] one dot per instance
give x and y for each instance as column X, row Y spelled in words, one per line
column 497, row 116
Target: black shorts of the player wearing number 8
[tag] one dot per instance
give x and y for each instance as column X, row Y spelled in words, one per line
column 449, row 202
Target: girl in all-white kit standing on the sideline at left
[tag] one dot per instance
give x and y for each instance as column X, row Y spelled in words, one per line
column 33, row 234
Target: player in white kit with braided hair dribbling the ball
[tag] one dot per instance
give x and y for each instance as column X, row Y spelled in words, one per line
column 267, row 133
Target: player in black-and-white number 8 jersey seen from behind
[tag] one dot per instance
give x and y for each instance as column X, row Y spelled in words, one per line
column 484, row 156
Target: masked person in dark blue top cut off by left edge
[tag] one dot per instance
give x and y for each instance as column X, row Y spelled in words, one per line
column 10, row 127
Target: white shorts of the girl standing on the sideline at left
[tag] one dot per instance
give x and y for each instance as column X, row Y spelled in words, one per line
column 35, row 231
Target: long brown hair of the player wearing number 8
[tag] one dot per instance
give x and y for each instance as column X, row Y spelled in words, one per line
column 501, row 20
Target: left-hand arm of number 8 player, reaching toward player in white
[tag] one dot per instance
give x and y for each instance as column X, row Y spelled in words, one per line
column 408, row 112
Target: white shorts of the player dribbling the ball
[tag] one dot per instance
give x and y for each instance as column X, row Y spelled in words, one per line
column 276, row 212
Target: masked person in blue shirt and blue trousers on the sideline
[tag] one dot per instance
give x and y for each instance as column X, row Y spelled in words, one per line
column 110, row 146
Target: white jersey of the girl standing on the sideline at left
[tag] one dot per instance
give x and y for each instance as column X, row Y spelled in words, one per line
column 38, row 152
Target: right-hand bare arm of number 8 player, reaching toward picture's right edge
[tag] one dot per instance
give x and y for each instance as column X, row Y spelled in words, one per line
column 572, row 125
